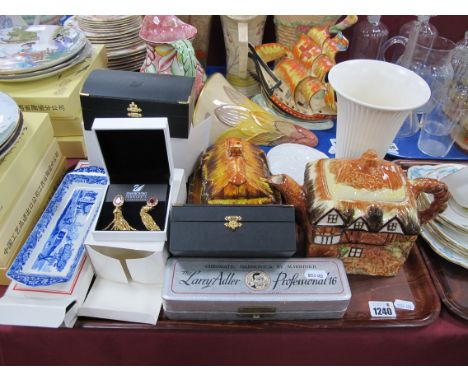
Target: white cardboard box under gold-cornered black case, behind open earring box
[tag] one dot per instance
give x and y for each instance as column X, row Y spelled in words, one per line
column 185, row 152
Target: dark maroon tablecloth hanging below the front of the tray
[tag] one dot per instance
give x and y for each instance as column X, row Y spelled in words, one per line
column 445, row 342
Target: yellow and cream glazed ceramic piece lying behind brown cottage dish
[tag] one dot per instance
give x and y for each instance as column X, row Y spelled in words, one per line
column 237, row 116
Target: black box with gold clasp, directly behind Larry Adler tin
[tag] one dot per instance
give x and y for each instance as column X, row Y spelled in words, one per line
column 232, row 231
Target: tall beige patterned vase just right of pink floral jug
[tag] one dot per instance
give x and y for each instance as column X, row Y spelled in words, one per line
column 238, row 32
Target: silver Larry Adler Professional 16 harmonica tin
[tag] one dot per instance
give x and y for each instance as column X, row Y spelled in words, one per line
column 254, row 288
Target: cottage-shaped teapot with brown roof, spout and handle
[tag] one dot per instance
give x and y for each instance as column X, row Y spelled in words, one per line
column 362, row 211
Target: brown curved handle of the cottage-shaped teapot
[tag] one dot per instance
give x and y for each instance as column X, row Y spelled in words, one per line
column 436, row 188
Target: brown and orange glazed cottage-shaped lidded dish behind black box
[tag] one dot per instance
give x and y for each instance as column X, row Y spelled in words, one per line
column 232, row 171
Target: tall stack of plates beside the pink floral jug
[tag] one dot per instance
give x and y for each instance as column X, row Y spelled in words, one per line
column 125, row 49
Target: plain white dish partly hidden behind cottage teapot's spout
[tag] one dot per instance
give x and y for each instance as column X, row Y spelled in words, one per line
column 291, row 159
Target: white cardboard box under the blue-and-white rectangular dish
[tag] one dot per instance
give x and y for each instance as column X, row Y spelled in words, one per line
column 53, row 306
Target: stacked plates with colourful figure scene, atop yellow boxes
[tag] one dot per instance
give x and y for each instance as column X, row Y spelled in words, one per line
column 39, row 51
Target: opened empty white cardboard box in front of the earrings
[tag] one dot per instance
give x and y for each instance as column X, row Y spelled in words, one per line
column 129, row 275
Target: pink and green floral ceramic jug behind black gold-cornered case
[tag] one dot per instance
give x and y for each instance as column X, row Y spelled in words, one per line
column 169, row 49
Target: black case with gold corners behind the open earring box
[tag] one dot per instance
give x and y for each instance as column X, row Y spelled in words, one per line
column 117, row 94
